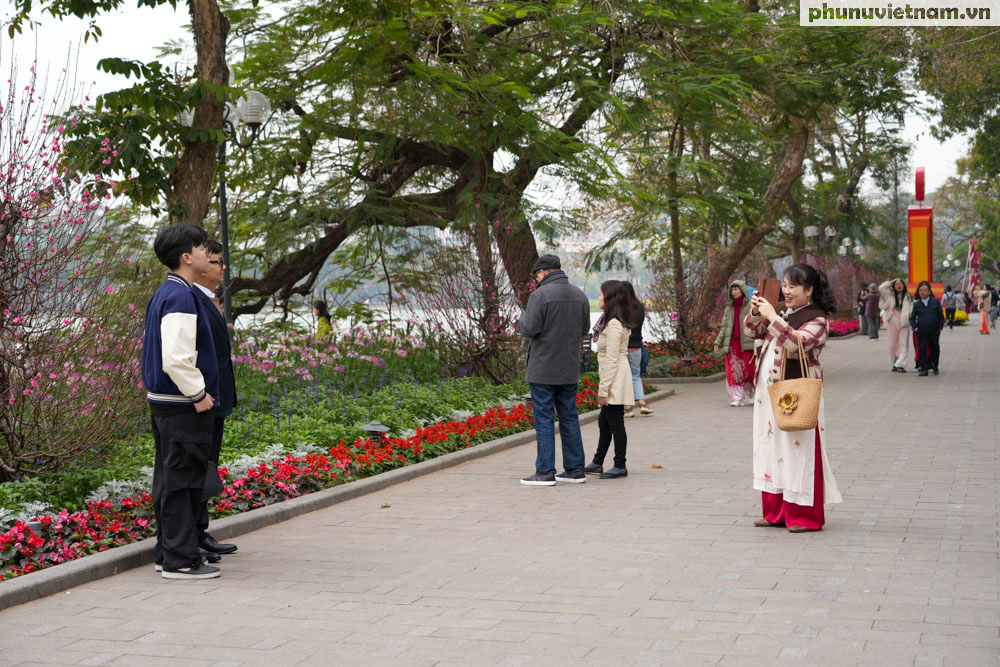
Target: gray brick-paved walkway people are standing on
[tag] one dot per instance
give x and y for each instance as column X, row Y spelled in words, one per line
column 467, row 567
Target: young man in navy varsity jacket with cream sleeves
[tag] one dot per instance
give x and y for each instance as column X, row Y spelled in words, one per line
column 181, row 375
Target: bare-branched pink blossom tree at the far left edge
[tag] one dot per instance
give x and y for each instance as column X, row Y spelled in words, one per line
column 70, row 294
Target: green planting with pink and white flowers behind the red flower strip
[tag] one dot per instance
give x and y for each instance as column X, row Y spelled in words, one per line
column 325, row 390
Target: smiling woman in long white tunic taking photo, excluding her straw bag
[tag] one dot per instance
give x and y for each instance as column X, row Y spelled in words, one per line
column 791, row 468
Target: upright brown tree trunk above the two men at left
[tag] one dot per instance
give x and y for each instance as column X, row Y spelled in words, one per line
column 192, row 180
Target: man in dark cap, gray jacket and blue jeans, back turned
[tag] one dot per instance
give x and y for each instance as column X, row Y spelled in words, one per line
column 555, row 321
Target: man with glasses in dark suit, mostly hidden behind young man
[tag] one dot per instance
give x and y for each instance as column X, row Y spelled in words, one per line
column 204, row 290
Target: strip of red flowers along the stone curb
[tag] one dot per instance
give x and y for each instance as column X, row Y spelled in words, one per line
column 106, row 523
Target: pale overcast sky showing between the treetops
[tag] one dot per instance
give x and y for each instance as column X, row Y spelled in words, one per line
column 135, row 33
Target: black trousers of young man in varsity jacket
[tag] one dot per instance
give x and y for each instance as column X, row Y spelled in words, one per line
column 183, row 440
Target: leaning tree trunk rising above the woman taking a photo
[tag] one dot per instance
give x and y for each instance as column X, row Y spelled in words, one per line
column 788, row 170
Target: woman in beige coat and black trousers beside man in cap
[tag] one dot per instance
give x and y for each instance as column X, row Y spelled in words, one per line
column 615, row 392
